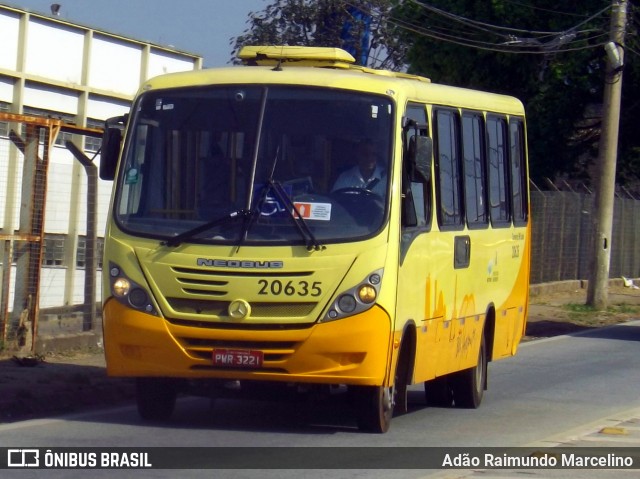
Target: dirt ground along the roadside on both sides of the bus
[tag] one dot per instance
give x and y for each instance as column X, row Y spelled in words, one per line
column 76, row 380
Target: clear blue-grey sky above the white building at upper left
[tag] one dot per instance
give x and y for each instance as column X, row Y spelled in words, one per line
column 201, row 27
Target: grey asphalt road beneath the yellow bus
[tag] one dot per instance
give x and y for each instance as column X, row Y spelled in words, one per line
column 550, row 390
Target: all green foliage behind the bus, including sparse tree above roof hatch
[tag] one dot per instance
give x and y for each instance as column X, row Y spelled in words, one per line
column 547, row 53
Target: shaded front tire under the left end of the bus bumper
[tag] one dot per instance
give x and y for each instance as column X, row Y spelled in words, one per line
column 156, row 398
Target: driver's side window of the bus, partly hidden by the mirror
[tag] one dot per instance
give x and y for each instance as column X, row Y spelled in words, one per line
column 415, row 187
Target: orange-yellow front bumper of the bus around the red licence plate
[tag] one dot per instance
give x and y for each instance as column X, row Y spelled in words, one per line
column 352, row 350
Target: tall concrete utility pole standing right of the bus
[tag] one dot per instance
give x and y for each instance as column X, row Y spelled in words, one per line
column 597, row 292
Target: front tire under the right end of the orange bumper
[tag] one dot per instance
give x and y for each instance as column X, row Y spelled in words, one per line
column 374, row 408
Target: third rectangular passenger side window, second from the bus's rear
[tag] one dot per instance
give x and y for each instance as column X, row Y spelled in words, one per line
column 499, row 201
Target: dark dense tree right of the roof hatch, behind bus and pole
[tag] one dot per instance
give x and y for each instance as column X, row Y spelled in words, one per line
column 548, row 53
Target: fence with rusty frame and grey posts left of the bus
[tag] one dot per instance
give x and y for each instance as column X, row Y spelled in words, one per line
column 35, row 186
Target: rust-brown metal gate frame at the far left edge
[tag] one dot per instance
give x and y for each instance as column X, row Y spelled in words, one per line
column 25, row 147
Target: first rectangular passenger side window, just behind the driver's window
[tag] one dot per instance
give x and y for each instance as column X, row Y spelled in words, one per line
column 448, row 177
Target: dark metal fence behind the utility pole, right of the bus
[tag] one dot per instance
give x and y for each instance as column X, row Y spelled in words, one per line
column 562, row 236
